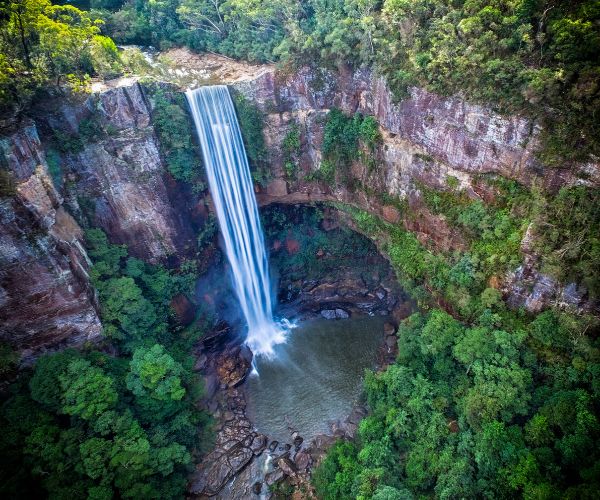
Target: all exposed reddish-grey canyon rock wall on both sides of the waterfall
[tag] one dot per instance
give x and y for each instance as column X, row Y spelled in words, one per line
column 116, row 178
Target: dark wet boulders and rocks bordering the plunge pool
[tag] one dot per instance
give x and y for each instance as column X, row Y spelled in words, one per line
column 246, row 463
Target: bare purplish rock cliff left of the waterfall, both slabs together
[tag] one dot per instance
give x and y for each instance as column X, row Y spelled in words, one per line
column 115, row 178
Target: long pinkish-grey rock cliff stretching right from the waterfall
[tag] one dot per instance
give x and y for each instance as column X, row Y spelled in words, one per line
column 427, row 139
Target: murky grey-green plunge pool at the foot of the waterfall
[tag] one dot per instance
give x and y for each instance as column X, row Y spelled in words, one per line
column 315, row 377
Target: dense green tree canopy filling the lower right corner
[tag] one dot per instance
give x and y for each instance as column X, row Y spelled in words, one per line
column 476, row 411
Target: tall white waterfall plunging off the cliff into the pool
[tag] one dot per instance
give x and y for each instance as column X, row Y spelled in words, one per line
column 232, row 191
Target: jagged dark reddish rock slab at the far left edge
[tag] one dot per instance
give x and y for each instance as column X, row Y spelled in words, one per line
column 45, row 298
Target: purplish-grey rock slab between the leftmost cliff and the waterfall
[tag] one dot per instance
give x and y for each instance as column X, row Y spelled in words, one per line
column 119, row 176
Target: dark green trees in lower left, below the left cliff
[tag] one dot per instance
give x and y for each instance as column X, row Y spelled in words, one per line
column 92, row 425
